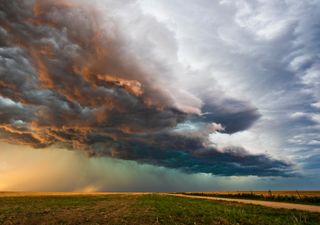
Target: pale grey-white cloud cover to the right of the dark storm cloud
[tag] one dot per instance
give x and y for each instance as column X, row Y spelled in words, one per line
column 266, row 51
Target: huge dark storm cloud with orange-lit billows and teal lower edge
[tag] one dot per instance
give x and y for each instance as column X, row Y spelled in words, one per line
column 69, row 76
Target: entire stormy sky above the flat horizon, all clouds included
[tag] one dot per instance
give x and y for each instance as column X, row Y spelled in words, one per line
column 146, row 95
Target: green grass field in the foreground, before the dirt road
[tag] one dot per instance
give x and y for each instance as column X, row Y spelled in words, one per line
column 141, row 209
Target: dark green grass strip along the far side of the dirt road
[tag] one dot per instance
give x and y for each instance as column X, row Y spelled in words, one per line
column 311, row 200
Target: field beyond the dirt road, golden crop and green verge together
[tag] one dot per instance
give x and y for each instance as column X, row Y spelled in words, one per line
column 301, row 197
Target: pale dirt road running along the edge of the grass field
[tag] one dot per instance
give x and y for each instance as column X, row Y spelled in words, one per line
column 310, row 208
